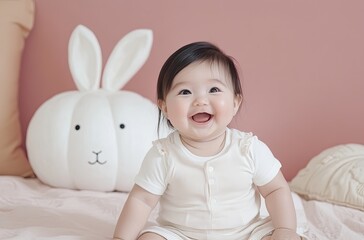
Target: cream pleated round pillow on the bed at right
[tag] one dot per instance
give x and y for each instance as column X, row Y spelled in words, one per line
column 336, row 175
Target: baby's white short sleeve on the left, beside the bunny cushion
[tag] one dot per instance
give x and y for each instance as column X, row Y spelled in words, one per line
column 153, row 172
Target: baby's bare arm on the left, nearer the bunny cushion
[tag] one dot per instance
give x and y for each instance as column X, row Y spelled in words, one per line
column 135, row 213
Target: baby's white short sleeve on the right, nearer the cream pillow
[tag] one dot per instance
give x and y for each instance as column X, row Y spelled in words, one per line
column 266, row 165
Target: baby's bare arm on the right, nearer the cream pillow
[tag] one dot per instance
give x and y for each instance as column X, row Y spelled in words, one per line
column 278, row 200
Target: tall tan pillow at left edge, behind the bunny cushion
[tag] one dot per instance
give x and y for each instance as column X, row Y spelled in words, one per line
column 16, row 20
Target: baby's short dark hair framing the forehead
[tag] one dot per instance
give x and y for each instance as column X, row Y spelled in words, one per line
column 193, row 52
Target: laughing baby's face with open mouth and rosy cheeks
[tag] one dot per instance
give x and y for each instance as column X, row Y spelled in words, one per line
column 201, row 102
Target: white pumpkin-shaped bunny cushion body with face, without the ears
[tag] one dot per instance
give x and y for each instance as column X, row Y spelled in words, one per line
column 93, row 141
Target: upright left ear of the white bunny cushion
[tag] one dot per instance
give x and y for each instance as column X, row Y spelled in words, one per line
column 84, row 59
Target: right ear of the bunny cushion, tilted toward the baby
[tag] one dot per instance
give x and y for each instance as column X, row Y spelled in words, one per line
column 128, row 56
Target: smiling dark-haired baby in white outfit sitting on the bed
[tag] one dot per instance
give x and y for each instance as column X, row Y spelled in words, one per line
column 207, row 177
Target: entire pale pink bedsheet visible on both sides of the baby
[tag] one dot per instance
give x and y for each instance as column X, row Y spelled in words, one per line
column 32, row 210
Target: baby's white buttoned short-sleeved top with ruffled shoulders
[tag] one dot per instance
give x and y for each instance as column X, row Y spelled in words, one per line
column 219, row 189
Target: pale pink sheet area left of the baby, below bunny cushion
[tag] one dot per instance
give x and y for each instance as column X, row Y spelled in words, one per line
column 31, row 210
